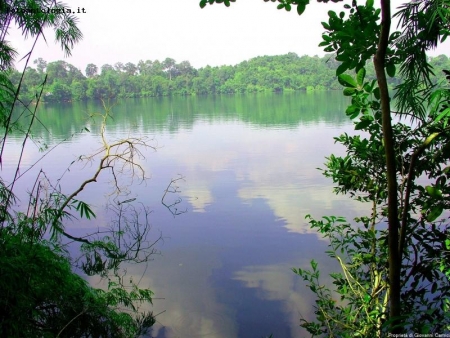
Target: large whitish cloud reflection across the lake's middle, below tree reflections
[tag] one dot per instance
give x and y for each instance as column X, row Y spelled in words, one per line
column 278, row 167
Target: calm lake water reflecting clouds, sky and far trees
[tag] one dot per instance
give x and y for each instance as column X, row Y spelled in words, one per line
column 249, row 168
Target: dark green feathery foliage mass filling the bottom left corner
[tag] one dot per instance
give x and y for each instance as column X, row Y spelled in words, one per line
column 42, row 297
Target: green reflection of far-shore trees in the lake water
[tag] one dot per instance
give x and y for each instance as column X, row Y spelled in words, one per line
column 267, row 110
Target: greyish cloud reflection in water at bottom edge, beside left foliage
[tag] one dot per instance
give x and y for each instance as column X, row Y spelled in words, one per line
column 189, row 306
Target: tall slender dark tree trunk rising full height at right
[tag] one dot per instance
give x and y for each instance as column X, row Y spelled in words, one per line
column 393, row 220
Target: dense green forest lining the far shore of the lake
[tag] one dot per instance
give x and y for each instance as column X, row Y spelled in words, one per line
column 288, row 72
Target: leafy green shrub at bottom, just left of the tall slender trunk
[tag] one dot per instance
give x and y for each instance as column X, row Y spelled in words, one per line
column 357, row 306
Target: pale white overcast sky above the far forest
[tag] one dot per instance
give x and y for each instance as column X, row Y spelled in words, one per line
column 129, row 31
